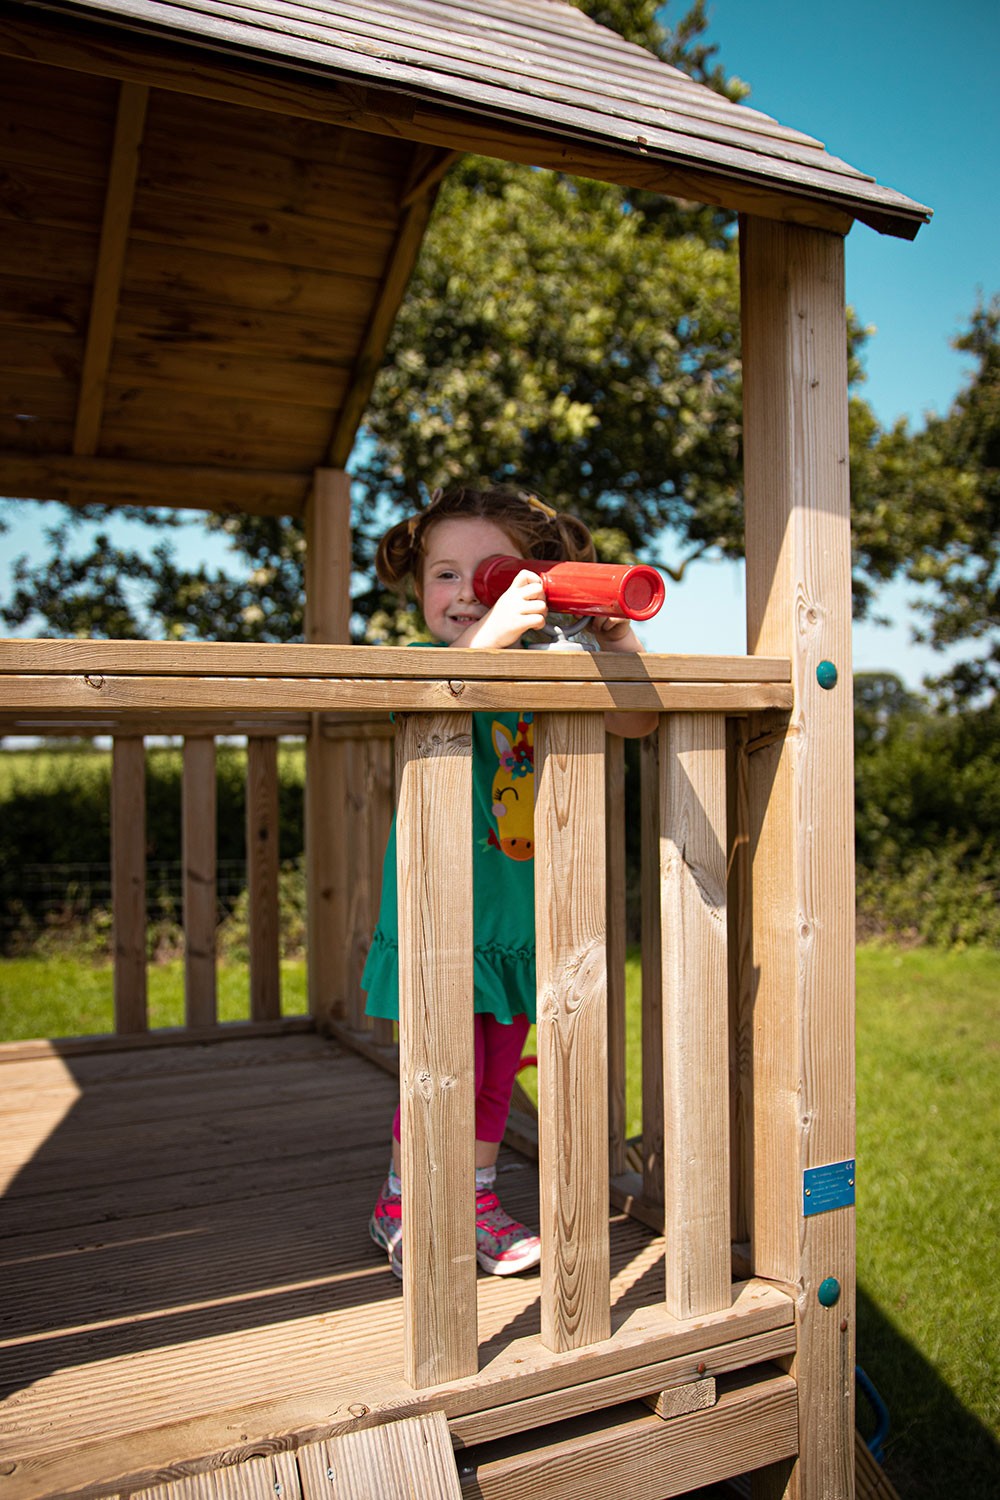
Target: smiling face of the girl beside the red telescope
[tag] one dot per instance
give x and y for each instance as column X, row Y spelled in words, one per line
column 454, row 551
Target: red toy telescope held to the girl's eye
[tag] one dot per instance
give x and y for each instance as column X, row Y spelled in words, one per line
column 635, row 592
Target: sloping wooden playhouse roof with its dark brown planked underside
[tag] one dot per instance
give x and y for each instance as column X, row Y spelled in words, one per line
column 211, row 212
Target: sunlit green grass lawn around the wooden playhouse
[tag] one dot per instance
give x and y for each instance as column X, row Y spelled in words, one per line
column 929, row 1117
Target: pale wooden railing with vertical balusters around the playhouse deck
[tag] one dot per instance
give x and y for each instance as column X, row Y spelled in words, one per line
column 692, row 838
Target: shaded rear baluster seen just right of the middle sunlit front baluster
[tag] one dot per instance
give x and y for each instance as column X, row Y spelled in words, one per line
column 615, row 812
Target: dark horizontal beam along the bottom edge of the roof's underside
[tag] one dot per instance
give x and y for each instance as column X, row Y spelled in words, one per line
column 86, row 481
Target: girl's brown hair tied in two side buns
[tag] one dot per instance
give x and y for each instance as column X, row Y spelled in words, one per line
column 534, row 529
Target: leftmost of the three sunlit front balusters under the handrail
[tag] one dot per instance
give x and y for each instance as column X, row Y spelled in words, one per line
column 437, row 1069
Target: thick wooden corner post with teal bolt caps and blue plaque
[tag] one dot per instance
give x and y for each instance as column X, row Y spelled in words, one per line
column 801, row 820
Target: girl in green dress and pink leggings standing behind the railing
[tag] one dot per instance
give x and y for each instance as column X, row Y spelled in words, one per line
column 440, row 550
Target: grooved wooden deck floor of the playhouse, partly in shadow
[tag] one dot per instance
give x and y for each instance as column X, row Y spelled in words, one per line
column 185, row 1265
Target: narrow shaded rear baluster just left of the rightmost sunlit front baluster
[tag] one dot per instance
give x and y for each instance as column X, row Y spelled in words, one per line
column 651, row 974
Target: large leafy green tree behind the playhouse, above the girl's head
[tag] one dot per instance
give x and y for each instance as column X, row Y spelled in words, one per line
column 596, row 359
